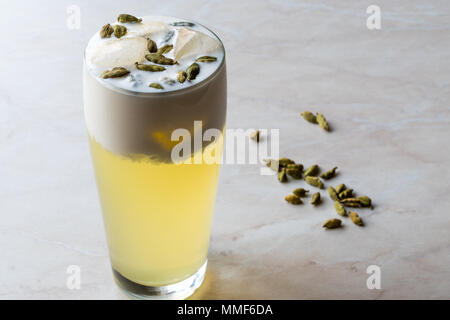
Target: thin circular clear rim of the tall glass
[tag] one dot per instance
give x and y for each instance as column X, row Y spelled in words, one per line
column 163, row 93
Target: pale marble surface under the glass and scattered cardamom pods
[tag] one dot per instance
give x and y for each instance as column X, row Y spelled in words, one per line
column 386, row 94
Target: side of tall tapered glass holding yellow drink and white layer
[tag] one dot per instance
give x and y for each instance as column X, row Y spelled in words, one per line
column 157, row 212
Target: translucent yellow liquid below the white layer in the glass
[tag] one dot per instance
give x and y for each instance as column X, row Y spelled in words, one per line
column 157, row 215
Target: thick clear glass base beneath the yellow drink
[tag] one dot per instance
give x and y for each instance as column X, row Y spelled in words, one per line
column 176, row 291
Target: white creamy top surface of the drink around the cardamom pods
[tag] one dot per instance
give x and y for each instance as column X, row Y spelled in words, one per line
column 190, row 41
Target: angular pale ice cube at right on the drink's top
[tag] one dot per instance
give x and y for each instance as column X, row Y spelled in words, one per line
column 190, row 42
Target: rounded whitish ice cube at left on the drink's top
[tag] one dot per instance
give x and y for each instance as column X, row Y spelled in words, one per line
column 107, row 54
